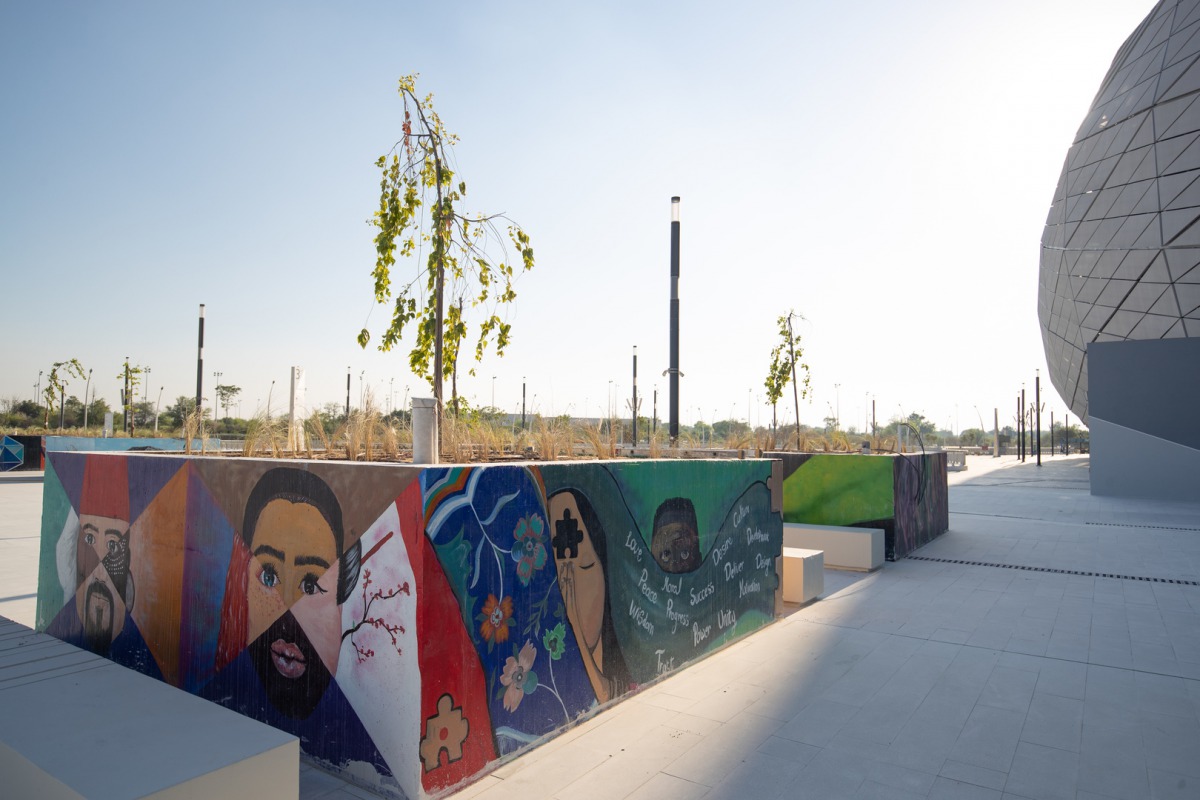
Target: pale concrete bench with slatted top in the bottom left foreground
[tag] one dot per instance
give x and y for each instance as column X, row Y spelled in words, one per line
column 74, row 725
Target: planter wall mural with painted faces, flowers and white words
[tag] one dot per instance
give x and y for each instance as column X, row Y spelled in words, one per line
column 413, row 627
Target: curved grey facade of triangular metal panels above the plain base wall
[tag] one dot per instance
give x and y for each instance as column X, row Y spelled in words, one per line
column 1121, row 248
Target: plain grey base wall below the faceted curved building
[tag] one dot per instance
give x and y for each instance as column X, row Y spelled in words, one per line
column 1145, row 435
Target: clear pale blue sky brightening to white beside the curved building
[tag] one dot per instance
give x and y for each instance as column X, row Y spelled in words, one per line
column 883, row 169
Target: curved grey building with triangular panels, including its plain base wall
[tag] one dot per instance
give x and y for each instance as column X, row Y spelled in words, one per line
column 1120, row 275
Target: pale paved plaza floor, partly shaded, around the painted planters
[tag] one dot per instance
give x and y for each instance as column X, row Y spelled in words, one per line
column 999, row 663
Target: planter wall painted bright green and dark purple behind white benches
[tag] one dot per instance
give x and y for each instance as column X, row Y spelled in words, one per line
column 907, row 496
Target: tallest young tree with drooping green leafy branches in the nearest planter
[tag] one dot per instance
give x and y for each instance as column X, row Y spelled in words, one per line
column 416, row 173
